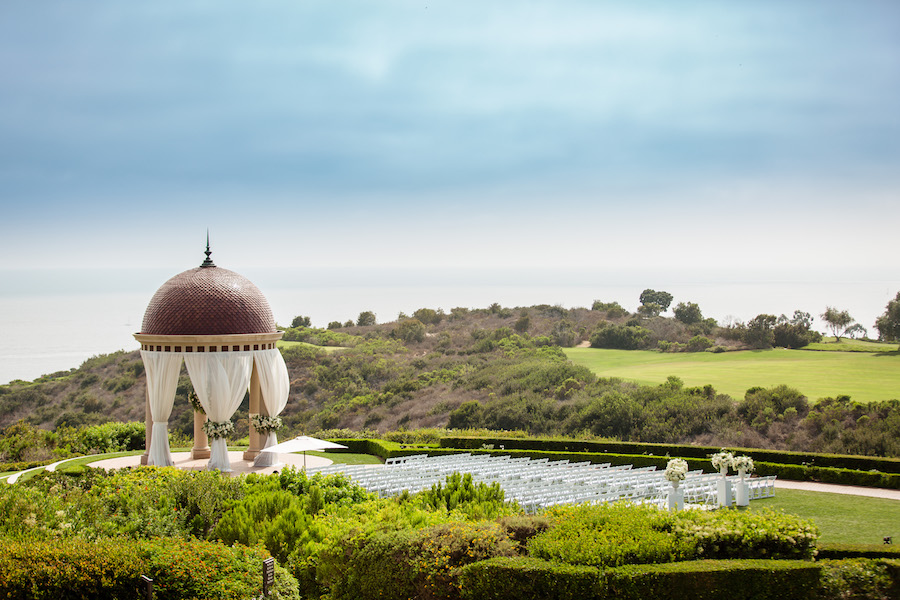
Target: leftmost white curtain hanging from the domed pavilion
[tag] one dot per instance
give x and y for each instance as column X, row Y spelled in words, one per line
column 162, row 369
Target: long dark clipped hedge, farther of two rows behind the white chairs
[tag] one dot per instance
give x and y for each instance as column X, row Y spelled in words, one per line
column 837, row 461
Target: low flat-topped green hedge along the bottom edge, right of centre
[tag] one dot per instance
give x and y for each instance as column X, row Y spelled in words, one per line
column 528, row 578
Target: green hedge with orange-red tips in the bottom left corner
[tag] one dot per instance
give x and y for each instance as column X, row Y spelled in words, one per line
column 111, row 568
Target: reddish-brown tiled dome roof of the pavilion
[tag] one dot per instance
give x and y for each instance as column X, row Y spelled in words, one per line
column 208, row 300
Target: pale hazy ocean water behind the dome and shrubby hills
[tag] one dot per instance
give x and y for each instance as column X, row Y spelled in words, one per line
column 54, row 321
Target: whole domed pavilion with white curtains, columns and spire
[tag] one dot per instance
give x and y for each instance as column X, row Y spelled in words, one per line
column 221, row 326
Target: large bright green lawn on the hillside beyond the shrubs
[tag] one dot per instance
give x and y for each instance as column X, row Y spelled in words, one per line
column 864, row 376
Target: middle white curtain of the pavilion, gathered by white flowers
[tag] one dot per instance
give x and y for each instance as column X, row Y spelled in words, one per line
column 220, row 380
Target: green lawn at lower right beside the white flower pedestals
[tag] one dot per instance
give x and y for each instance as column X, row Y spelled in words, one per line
column 842, row 519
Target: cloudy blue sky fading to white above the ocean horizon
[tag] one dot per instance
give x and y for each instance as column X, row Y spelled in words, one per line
column 665, row 135
